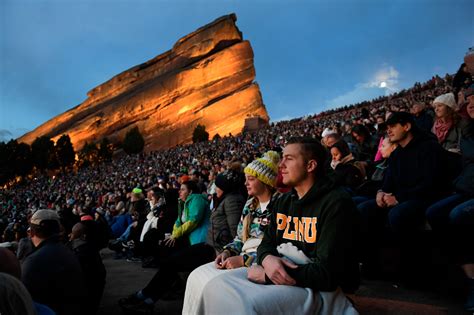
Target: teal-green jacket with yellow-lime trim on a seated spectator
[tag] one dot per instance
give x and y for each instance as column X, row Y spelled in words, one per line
column 196, row 212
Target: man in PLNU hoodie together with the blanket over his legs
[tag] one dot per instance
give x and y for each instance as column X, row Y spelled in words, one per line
column 307, row 252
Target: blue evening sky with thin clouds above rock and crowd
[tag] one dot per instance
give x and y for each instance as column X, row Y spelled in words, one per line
column 310, row 56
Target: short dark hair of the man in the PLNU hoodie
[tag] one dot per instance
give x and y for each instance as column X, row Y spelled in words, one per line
column 312, row 150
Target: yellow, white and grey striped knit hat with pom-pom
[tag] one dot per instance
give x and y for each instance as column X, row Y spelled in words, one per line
column 265, row 168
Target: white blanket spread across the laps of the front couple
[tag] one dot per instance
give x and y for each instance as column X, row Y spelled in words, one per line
column 213, row 291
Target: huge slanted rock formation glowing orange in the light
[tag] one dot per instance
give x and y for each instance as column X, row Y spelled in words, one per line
column 207, row 78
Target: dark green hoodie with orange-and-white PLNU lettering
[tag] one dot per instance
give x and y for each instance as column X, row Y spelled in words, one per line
column 324, row 225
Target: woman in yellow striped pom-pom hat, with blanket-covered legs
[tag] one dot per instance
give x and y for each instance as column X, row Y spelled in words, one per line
column 260, row 181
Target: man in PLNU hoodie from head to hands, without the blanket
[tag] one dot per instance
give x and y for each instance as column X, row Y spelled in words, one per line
column 318, row 218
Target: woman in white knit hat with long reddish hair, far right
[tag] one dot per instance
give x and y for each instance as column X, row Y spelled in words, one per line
column 448, row 127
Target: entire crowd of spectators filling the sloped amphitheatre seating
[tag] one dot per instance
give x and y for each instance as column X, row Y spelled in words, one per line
column 308, row 203
